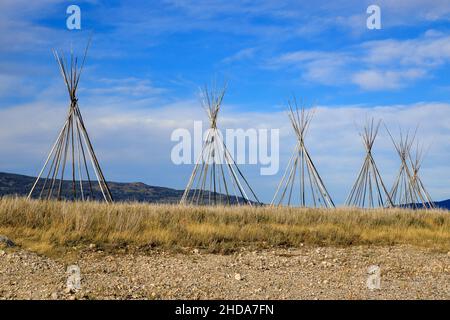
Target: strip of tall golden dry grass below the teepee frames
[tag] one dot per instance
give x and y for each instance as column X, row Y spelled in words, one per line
column 49, row 226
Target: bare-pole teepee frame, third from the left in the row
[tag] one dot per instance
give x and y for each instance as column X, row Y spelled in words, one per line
column 301, row 176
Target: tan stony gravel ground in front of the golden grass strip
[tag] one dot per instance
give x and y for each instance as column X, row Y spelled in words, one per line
column 304, row 273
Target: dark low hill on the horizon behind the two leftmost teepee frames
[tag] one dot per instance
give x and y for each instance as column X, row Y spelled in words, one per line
column 16, row 184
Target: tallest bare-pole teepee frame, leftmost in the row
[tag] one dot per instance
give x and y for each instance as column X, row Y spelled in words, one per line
column 68, row 154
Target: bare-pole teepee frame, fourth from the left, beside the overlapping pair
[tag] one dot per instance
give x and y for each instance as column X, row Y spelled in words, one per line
column 369, row 189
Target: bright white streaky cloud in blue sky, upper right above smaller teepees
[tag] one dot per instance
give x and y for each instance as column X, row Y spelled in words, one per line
column 374, row 65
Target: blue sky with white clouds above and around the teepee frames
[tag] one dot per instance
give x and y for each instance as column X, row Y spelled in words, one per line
column 148, row 59
